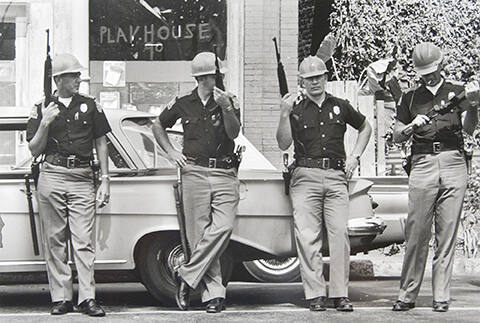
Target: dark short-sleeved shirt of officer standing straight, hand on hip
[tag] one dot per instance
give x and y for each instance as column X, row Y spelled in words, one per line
column 318, row 131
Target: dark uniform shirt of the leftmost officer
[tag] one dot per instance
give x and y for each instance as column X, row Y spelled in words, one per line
column 73, row 130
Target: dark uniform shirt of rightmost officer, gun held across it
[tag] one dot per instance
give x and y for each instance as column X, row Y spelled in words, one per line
column 441, row 128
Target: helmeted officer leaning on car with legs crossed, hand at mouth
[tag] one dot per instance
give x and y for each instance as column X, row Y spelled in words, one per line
column 211, row 120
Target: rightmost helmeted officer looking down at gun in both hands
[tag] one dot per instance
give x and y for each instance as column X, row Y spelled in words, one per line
column 438, row 177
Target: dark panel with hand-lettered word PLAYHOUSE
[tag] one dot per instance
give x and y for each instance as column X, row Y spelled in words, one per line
column 156, row 30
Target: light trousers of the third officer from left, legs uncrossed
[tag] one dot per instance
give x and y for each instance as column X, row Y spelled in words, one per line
column 321, row 196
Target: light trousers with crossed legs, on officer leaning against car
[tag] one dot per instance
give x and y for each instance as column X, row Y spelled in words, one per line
column 210, row 200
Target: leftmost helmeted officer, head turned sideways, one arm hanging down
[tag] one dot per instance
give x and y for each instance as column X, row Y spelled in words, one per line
column 65, row 132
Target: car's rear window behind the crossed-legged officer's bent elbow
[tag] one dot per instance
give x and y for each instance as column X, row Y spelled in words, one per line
column 139, row 132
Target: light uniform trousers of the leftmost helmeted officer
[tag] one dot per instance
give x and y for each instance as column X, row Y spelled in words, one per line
column 67, row 209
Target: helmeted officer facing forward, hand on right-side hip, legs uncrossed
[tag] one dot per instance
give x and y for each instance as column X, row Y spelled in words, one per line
column 319, row 186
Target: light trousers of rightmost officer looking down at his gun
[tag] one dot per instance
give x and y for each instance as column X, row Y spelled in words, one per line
column 437, row 186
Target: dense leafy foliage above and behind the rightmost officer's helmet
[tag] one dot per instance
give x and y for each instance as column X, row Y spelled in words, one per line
column 370, row 29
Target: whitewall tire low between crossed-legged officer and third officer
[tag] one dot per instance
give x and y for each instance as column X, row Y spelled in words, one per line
column 279, row 270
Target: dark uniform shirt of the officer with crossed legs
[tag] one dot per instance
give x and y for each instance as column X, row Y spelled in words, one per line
column 203, row 126
